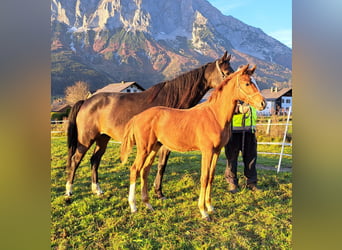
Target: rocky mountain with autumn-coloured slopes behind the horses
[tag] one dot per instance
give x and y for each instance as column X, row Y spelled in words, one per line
column 104, row 41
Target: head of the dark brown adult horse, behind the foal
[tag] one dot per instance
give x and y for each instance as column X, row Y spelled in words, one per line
column 218, row 70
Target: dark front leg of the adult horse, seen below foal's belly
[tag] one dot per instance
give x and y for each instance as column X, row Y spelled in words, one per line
column 164, row 154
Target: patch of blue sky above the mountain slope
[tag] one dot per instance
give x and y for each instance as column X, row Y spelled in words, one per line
column 274, row 17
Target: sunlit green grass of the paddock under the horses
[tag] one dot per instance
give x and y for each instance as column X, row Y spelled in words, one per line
column 245, row 220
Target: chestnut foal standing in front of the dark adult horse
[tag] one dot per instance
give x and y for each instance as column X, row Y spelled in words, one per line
column 204, row 127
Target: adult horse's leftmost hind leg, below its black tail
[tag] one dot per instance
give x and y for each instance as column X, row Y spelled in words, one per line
column 74, row 163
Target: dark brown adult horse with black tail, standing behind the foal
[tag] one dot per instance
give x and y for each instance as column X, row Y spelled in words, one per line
column 104, row 115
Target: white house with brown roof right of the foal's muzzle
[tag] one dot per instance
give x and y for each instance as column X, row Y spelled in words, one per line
column 278, row 101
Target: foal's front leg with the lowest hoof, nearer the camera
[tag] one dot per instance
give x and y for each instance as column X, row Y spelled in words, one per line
column 205, row 172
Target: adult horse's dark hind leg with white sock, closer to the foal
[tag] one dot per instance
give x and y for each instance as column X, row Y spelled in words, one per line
column 101, row 145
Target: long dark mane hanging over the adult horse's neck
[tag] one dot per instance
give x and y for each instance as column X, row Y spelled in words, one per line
column 183, row 87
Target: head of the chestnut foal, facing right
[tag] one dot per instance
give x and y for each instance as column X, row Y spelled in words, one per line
column 246, row 88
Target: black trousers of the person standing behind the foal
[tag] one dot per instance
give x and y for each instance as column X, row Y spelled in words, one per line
column 249, row 157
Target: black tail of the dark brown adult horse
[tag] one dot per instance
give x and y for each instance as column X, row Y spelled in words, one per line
column 72, row 130
